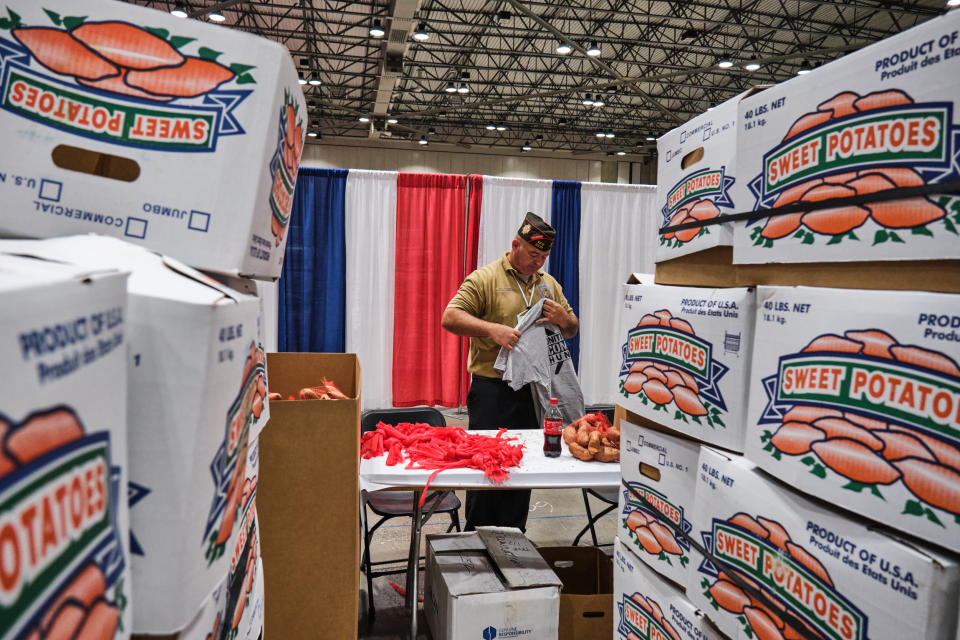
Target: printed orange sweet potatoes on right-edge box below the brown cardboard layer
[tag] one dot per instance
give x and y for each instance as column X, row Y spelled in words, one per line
column 870, row 452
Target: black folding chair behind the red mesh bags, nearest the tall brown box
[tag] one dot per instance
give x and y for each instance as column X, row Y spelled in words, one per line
column 398, row 504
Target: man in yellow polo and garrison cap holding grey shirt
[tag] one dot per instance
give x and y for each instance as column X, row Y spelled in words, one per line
column 485, row 309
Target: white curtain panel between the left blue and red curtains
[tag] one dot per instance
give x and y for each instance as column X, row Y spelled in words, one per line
column 371, row 231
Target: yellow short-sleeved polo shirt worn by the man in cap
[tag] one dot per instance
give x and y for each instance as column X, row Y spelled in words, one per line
column 492, row 293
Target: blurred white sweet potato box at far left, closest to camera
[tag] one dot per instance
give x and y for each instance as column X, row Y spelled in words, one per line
column 64, row 519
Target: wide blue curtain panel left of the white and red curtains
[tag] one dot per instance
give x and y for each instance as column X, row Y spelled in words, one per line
column 312, row 297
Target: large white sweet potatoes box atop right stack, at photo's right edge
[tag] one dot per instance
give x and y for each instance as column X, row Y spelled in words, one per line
column 878, row 118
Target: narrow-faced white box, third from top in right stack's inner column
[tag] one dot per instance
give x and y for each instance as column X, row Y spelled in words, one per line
column 662, row 469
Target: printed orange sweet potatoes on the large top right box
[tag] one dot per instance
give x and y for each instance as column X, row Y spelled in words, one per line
column 837, row 222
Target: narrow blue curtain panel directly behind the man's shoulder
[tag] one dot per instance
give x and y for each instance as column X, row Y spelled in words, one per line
column 565, row 255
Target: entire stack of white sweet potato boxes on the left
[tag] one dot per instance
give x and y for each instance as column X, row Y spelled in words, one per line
column 155, row 158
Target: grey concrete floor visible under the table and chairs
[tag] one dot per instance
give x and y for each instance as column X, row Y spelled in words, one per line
column 556, row 516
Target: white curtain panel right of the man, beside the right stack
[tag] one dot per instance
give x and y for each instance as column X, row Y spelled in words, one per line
column 618, row 231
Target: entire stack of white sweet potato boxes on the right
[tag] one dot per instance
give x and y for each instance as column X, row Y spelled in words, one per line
column 791, row 454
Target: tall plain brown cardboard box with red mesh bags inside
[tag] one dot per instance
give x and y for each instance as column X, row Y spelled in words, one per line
column 309, row 499
